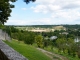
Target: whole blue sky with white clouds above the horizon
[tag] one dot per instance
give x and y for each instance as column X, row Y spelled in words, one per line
column 45, row 12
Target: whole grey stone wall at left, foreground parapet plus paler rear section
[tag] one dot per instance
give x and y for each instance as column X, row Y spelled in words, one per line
column 6, row 52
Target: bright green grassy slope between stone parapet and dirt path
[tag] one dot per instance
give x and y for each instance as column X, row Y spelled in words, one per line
column 28, row 51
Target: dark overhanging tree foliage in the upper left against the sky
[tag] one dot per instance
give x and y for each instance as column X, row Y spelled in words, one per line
column 5, row 9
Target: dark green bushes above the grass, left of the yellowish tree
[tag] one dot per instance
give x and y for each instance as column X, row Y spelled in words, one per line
column 20, row 35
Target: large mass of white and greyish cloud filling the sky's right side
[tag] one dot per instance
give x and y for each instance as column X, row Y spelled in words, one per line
column 62, row 11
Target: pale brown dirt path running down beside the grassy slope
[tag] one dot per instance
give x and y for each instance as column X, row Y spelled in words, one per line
column 53, row 56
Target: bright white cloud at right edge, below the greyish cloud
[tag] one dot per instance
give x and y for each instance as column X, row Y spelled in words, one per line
column 70, row 14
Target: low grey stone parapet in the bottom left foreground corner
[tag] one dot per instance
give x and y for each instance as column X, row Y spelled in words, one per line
column 7, row 53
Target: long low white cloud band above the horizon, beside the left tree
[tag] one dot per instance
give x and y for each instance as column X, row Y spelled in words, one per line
column 29, row 22
